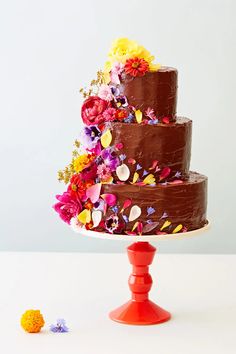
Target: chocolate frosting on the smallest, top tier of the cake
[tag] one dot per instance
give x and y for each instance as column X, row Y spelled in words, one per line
column 156, row 90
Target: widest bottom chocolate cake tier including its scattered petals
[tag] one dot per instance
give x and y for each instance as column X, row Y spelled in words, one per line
column 170, row 208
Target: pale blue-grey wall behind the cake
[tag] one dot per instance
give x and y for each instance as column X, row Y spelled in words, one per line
column 51, row 48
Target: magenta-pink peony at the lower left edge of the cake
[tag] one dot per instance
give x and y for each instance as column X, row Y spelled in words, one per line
column 68, row 206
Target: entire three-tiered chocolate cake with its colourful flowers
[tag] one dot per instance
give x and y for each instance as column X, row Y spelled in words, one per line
column 130, row 171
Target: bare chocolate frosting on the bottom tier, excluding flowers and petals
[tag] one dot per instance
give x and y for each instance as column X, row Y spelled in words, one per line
column 184, row 203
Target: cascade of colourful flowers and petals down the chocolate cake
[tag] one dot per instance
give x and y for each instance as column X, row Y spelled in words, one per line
column 95, row 161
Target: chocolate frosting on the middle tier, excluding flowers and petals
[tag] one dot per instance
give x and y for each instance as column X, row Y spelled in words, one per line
column 169, row 144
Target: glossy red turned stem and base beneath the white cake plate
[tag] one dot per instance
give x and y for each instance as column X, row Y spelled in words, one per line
column 140, row 310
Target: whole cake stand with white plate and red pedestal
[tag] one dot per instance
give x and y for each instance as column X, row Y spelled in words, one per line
column 140, row 310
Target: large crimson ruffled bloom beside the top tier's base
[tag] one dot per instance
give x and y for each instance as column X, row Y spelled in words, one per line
column 92, row 110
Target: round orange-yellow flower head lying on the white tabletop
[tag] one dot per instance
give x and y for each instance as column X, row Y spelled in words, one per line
column 32, row 321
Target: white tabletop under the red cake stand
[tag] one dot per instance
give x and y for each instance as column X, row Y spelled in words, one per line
column 199, row 291
